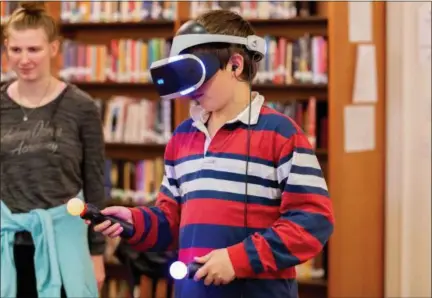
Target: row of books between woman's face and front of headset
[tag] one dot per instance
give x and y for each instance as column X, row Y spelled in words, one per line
column 123, row 60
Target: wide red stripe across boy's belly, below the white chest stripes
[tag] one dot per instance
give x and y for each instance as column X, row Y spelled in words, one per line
column 214, row 211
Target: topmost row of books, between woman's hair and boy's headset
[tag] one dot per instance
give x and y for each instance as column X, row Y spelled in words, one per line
column 116, row 11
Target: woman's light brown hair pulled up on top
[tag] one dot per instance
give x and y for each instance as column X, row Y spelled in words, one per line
column 32, row 15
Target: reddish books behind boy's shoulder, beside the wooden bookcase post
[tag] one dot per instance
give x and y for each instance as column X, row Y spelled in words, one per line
column 305, row 115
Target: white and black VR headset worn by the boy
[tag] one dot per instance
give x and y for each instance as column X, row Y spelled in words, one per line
column 183, row 73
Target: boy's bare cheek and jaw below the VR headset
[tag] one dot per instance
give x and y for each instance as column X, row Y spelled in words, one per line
column 216, row 93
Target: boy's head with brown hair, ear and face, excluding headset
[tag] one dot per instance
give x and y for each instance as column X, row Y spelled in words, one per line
column 237, row 65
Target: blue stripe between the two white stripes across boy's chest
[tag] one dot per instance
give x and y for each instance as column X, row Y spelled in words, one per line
column 234, row 177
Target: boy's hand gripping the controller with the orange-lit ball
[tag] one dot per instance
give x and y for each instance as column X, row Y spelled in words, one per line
column 109, row 229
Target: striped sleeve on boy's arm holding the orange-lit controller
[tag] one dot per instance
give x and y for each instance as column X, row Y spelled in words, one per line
column 157, row 228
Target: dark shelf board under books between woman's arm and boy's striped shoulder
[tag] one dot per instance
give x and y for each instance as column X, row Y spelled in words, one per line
column 133, row 152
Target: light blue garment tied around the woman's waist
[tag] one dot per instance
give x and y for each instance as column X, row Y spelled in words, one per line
column 61, row 252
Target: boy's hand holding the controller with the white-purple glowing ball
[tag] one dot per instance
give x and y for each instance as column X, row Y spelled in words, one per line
column 217, row 268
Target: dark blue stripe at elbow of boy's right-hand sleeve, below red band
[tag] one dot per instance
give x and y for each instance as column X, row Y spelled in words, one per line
column 315, row 224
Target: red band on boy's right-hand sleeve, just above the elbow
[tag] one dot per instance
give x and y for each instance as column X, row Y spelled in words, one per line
column 311, row 203
